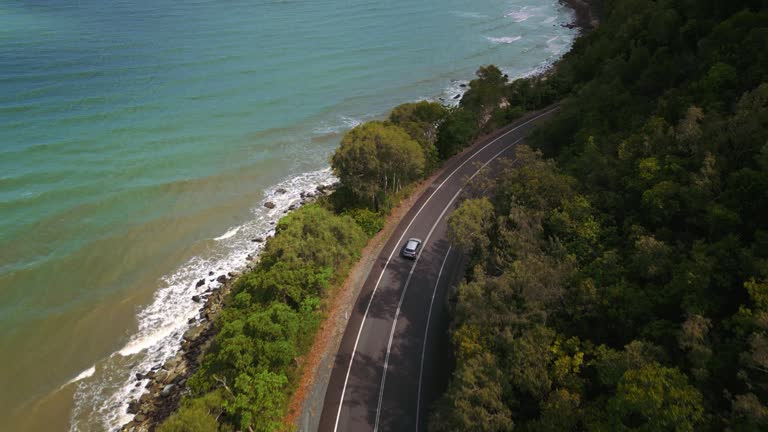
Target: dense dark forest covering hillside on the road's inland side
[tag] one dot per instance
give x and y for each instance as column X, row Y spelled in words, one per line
column 618, row 276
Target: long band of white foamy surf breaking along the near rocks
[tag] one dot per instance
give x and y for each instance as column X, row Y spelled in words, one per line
column 162, row 323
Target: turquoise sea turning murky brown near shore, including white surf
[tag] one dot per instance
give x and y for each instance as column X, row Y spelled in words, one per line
column 133, row 134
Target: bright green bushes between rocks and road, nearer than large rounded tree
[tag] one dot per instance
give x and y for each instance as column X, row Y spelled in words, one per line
column 269, row 322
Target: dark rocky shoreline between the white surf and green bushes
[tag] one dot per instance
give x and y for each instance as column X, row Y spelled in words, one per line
column 165, row 384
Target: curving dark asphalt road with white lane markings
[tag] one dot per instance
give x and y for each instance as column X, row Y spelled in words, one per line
column 394, row 358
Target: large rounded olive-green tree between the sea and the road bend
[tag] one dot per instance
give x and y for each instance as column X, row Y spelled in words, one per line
column 376, row 158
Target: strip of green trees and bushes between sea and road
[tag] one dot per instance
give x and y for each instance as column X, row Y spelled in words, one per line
column 273, row 312
